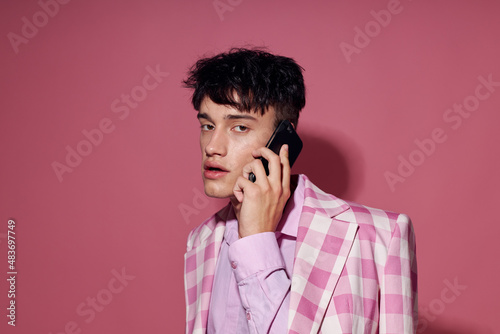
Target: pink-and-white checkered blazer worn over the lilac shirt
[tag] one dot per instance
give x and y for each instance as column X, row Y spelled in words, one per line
column 355, row 269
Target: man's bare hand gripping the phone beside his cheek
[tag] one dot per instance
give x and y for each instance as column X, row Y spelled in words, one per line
column 261, row 203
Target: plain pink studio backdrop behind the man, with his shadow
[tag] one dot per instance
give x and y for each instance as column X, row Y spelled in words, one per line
column 120, row 207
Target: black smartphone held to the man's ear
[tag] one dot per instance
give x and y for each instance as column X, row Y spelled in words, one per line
column 283, row 134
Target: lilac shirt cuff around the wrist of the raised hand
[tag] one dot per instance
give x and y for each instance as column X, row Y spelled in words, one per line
column 255, row 253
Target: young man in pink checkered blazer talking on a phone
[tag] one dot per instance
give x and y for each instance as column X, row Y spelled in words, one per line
column 283, row 256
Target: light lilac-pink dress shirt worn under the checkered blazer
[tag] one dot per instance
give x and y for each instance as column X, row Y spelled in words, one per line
column 251, row 291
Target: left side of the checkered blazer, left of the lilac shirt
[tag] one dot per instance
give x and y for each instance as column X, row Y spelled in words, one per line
column 200, row 265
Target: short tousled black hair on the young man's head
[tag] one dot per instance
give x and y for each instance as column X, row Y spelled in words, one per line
column 250, row 80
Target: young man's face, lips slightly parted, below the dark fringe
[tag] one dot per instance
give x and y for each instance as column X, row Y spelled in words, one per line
column 227, row 139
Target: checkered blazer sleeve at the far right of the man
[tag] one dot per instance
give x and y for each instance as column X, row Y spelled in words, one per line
column 398, row 287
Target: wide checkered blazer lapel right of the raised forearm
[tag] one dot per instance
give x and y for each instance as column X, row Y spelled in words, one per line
column 323, row 244
